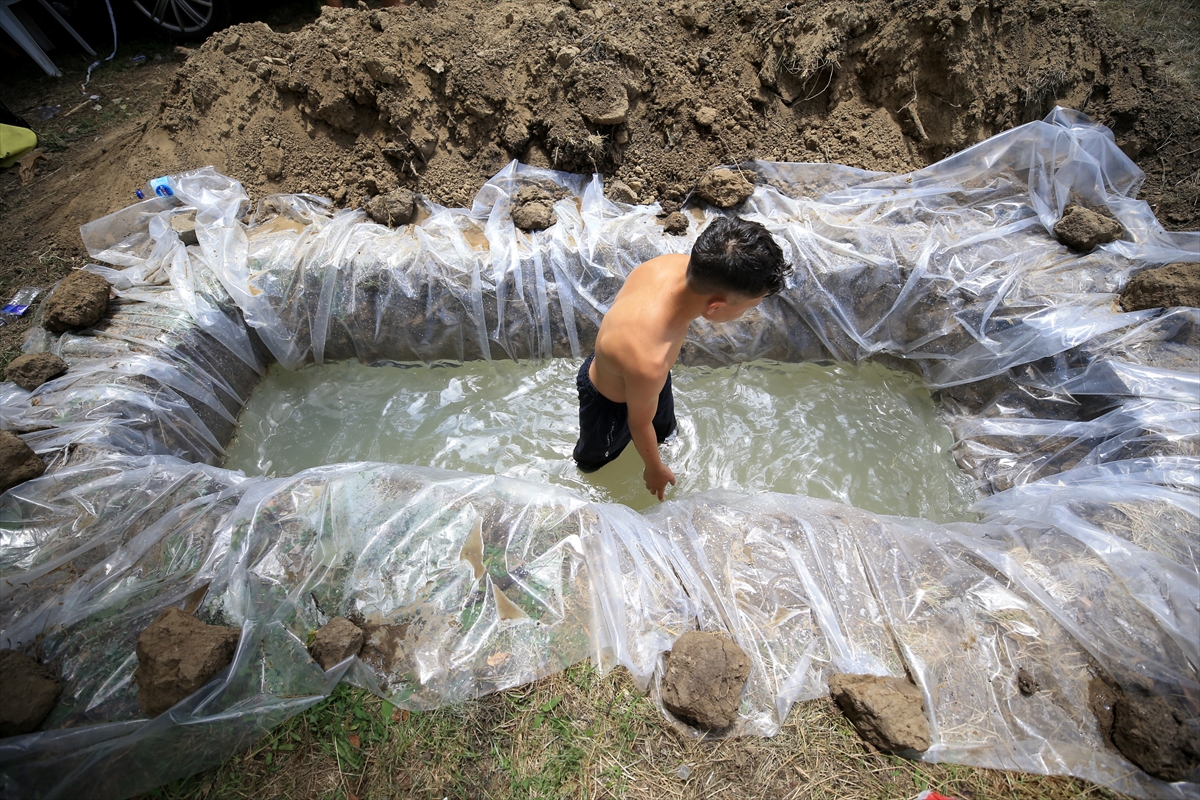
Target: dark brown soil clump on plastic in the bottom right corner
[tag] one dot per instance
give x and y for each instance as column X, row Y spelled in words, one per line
column 1151, row 732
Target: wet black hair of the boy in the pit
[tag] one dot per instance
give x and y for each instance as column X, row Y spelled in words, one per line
column 737, row 257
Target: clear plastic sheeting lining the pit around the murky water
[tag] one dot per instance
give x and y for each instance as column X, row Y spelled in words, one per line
column 1081, row 422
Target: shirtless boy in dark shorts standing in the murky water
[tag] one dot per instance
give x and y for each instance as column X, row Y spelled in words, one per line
column 626, row 387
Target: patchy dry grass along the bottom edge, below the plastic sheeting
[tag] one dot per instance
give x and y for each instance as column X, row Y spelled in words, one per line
column 580, row 735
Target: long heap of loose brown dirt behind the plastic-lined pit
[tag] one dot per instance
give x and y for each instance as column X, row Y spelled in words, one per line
column 437, row 100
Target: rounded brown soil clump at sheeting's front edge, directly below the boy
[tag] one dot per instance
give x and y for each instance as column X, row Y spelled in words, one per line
column 704, row 679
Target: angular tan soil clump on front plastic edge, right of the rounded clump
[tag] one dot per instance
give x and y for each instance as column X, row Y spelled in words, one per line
column 887, row 713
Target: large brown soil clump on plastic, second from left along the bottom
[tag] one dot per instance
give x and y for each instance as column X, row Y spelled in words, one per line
column 178, row 654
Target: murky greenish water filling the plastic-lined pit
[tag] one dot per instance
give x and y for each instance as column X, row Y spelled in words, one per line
column 860, row 435
